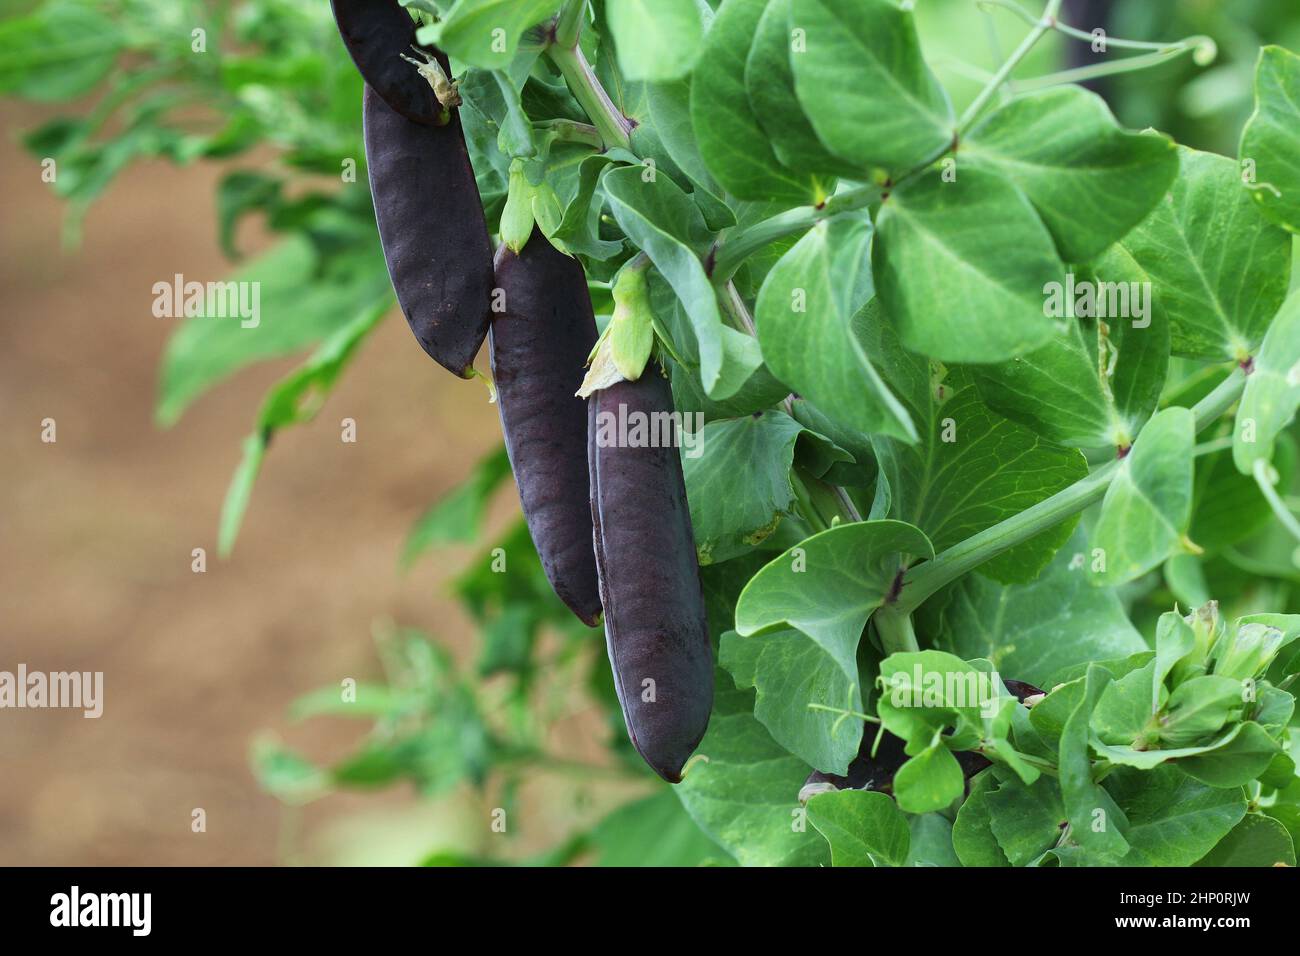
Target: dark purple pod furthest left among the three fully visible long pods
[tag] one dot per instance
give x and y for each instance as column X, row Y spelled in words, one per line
column 434, row 231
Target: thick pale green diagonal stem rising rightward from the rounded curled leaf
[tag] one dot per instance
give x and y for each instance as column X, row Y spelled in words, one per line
column 948, row 566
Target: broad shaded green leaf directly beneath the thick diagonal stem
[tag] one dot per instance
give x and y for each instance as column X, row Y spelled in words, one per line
column 1033, row 631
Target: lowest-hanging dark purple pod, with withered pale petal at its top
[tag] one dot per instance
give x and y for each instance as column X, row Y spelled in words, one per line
column 656, row 629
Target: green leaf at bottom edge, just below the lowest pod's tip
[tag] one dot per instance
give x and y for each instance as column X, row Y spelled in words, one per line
column 746, row 797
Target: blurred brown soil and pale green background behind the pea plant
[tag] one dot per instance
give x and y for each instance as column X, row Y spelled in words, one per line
column 97, row 530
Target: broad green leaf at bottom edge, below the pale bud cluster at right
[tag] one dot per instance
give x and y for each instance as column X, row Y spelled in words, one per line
column 1173, row 820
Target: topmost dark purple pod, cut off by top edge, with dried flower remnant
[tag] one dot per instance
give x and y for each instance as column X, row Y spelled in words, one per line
column 376, row 34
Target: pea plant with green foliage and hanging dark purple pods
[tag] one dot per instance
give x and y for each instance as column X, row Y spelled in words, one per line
column 973, row 537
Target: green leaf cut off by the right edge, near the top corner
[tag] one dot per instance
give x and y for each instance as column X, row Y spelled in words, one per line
column 1272, row 137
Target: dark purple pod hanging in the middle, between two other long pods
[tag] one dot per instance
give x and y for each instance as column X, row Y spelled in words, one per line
column 539, row 349
